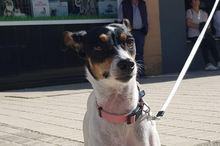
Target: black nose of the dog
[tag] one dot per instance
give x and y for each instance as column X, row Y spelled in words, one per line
column 126, row 65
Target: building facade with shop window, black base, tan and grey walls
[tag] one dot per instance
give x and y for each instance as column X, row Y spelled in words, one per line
column 31, row 39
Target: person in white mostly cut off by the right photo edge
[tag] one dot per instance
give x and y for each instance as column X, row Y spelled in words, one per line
column 217, row 22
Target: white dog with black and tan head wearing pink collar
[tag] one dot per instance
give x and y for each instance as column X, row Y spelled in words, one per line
column 116, row 115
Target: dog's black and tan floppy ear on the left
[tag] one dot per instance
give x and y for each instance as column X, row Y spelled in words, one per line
column 74, row 40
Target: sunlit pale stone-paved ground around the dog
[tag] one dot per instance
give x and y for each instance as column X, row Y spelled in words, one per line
column 52, row 116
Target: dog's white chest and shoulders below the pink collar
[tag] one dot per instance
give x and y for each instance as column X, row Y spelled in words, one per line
column 104, row 133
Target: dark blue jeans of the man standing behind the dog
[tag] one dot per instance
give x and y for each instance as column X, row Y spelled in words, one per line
column 139, row 37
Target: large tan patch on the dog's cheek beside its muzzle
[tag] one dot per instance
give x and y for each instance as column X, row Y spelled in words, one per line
column 100, row 70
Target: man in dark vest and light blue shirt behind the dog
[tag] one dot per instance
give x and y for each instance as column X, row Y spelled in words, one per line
column 136, row 12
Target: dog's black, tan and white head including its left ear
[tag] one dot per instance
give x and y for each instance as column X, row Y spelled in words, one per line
column 109, row 50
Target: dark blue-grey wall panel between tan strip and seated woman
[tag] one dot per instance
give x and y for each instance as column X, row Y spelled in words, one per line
column 173, row 35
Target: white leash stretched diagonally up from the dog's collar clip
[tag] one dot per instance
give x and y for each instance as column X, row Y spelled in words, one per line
column 186, row 65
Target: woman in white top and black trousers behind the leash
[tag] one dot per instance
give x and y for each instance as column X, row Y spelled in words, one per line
column 195, row 17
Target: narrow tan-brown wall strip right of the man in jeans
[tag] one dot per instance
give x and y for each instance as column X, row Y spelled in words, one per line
column 152, row 48
